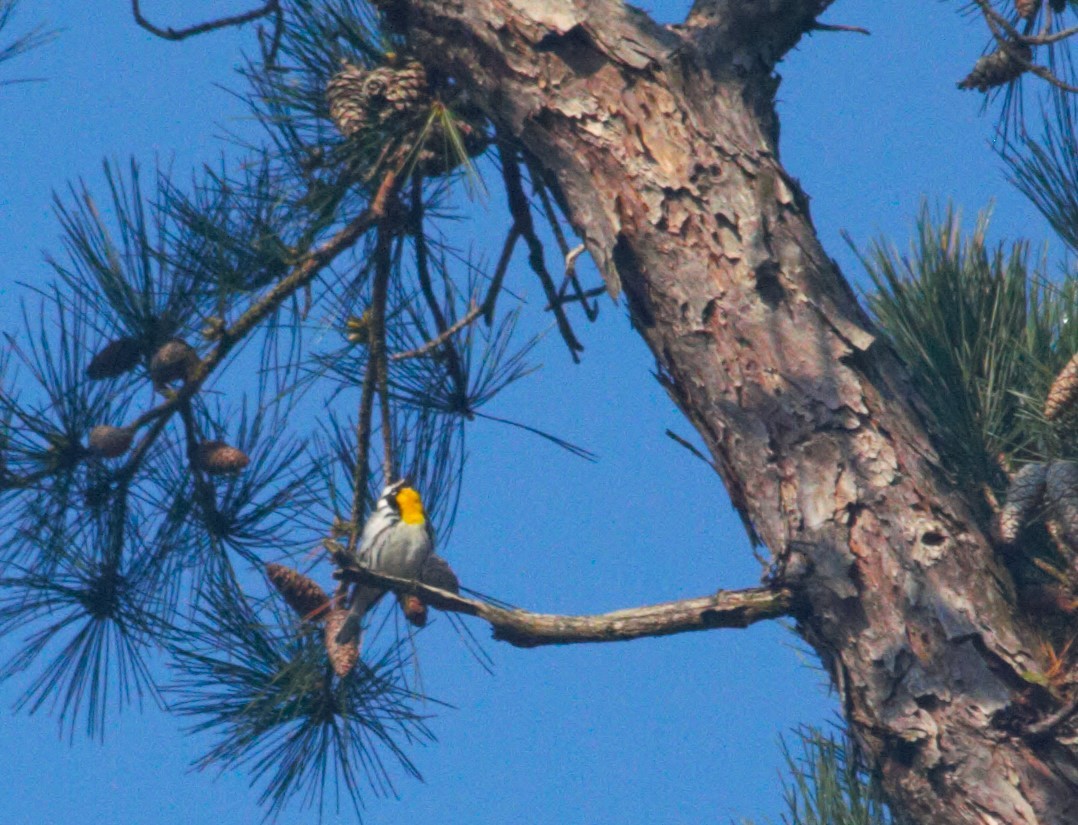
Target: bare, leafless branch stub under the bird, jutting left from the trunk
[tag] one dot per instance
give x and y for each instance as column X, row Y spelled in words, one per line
column 727, row 609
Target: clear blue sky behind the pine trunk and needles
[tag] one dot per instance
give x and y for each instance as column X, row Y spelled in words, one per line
column 673, row 731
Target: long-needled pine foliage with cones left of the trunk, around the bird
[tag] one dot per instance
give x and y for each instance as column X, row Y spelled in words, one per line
column 148, row 512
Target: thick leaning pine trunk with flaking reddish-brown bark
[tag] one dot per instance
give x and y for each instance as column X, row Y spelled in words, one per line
column 662, row 144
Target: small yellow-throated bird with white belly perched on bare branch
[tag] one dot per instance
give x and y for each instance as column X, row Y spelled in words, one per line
column 397, row 541
